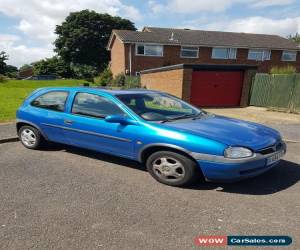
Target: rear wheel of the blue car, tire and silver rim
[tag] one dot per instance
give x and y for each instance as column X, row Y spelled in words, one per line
column 30, row 137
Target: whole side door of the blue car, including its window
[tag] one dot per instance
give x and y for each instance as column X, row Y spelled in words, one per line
column 85, row 125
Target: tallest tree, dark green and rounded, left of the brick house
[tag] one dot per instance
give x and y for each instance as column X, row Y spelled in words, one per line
column 83, row 36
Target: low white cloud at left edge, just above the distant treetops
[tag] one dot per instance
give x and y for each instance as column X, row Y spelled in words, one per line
column 22, row 54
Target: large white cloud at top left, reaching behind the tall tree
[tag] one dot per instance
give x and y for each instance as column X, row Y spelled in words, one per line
column 38, row 18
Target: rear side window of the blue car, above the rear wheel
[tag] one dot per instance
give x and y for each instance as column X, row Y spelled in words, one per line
column 54, row 100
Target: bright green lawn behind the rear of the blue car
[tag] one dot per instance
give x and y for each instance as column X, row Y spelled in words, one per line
column 13, row 93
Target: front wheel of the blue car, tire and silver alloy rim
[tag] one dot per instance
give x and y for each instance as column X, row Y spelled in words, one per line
column 172, row 168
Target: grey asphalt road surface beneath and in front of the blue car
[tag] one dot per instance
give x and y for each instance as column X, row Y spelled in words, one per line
column 67, row 198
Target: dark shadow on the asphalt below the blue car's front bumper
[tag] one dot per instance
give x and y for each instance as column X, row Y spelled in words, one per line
column 281, row 177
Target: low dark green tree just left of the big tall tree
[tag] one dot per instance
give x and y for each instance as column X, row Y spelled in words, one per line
column 52, row 66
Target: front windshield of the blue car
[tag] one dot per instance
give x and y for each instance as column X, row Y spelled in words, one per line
column 159, row 106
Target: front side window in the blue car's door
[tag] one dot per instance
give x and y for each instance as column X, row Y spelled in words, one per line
column 95, row 106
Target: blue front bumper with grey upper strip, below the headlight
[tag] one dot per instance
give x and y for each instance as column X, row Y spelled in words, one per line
column 219, row 168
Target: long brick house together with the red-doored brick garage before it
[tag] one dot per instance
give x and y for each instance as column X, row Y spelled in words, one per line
column 210, row 68
